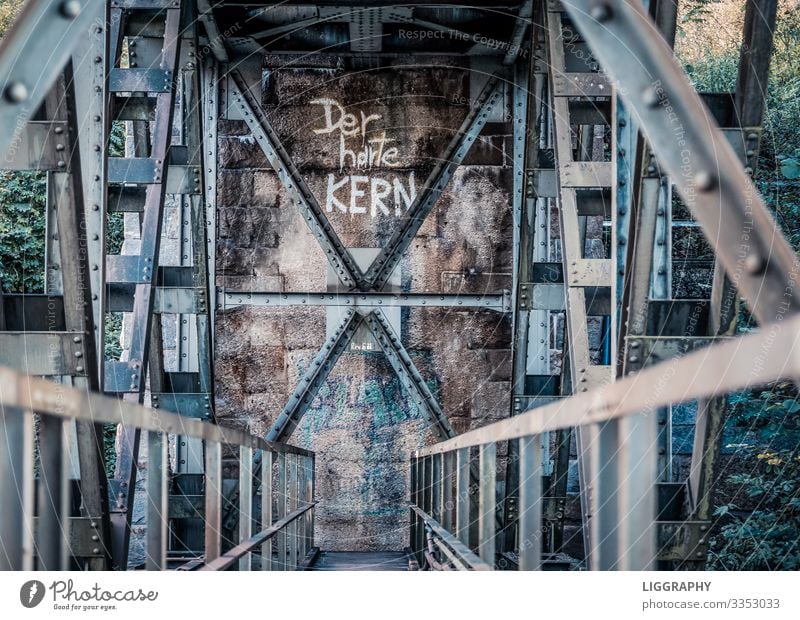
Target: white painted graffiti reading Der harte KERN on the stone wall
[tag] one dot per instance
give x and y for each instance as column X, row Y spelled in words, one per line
column 364, row 149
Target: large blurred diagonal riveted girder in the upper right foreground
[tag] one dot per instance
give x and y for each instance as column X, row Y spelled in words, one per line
column 696, row 155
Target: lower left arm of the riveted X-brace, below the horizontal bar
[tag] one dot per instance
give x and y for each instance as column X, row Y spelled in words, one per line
column 314, row 377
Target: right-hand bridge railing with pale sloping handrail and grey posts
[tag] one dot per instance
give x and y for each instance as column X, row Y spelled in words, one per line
column 454, row 526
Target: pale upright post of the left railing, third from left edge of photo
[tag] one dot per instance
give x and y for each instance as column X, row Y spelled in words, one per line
column 157, row 507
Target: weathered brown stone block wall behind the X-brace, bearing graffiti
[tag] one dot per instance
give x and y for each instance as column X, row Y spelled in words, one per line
column 361, row 424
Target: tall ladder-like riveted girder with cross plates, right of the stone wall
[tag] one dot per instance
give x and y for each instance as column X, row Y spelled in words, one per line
column 595, row 444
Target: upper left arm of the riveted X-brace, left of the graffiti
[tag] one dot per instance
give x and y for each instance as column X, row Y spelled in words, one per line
column 266, row 137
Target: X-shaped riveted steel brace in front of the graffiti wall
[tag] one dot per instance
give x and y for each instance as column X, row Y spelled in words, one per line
column 345, row 266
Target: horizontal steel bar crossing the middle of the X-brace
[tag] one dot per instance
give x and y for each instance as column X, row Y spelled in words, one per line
column 233, row 299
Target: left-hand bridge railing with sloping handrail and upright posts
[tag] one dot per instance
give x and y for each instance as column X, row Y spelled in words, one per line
column 39, row 532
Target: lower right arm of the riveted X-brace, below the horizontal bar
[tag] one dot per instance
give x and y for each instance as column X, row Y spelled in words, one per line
column 407, row 372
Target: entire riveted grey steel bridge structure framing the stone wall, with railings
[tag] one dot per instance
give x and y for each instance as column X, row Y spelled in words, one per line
column 605, row 128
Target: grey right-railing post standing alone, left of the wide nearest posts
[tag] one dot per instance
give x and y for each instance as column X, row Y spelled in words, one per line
column 530, row 503
